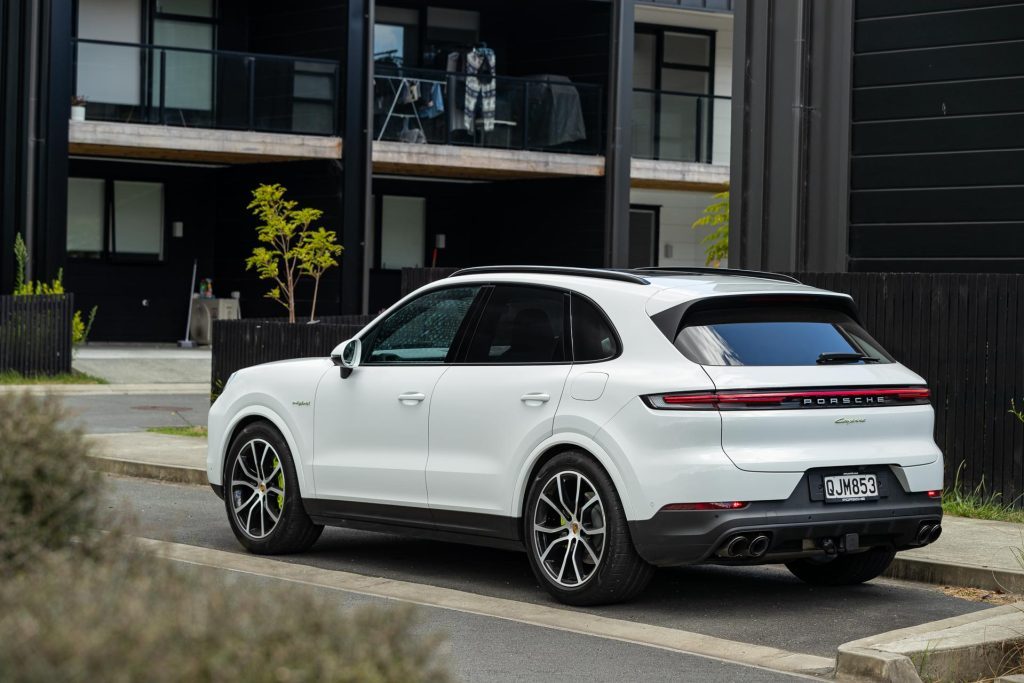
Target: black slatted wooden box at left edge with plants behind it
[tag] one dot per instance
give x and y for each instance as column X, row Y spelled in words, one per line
column 36, row 334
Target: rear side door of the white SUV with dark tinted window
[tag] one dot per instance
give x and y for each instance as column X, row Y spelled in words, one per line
column 496, row 405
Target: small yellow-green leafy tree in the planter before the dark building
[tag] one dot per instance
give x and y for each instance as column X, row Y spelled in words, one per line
column 293, row 250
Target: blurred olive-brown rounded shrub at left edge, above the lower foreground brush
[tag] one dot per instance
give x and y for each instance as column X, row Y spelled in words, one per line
column 50, row 496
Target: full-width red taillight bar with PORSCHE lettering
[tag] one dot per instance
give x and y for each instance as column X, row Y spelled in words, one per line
column 862, row 398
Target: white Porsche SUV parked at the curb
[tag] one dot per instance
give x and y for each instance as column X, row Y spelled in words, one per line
column 608, row 421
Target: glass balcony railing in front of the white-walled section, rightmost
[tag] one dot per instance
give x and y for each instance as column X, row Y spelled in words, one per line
column 681, row 127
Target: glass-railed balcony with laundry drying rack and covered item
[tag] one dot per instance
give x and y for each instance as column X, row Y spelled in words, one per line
column 541, row 114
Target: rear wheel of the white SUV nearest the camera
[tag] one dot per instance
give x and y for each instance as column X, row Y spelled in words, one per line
column 619, row 574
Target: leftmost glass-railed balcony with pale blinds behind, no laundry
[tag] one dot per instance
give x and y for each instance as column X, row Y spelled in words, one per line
column 175, row 87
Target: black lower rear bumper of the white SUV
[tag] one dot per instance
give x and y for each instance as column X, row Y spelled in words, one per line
column 794, row 526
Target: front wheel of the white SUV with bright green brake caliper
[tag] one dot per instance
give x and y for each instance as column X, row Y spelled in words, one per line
column 260, row 459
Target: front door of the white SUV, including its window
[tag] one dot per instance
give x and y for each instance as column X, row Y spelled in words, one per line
column 371, row 428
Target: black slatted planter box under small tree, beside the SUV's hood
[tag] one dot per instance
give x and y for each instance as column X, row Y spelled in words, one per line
column 243, row 344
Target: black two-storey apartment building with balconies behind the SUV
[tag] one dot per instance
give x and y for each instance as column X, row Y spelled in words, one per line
column 594, row 135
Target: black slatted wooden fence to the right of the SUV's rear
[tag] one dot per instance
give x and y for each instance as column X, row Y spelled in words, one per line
column 965, row 335
